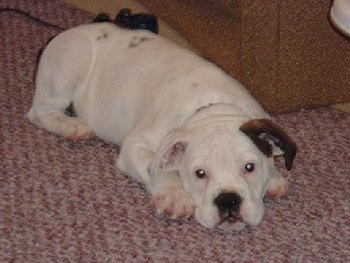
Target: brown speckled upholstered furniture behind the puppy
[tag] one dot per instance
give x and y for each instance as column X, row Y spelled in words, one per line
column 286, row 52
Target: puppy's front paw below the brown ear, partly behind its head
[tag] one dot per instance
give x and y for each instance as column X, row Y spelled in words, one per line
column 277, row 185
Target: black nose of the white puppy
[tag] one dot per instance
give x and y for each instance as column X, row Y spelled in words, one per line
column 228, row 203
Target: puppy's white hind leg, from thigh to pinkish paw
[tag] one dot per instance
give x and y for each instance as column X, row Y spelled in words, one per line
column 62, row 65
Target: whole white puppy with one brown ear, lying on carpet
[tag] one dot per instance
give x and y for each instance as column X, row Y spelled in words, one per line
column 194, row 136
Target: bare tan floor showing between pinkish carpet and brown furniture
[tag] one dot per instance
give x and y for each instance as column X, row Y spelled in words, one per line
column 113, row 6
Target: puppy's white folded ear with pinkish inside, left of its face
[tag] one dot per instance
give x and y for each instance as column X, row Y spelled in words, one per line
column 170, row 152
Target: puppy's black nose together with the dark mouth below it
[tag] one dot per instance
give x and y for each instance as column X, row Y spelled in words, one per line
column 228, row 205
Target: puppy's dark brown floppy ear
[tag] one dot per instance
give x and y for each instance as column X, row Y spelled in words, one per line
column 268, row 136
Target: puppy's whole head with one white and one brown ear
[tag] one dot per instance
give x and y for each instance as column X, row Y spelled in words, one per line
column 224, row 166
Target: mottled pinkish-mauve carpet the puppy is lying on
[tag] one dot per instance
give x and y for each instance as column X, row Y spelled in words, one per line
column 66, row 202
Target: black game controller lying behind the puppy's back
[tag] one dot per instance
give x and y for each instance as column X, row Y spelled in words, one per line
column 127, row 20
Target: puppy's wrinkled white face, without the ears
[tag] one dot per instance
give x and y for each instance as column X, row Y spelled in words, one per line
column 226, row 175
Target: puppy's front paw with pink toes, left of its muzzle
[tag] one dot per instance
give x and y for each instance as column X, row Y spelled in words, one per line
column 173, row 202
